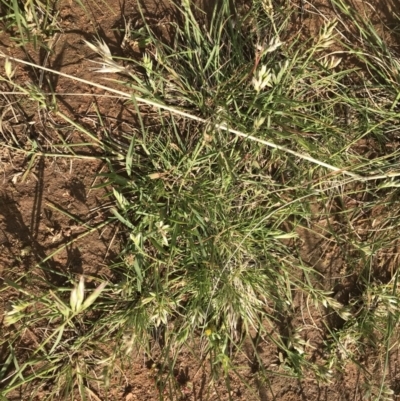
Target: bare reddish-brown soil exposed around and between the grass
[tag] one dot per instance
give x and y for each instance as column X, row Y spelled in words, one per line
column 39, row 212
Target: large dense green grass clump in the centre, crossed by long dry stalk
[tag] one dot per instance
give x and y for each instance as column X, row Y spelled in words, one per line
column 206, row 210
